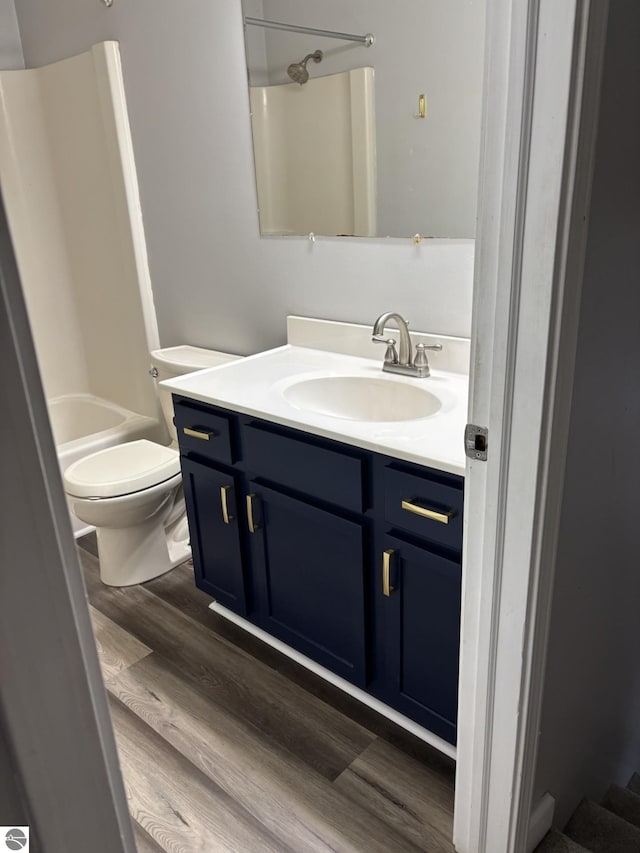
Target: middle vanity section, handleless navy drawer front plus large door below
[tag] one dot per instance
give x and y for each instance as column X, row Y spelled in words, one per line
column 309, row 544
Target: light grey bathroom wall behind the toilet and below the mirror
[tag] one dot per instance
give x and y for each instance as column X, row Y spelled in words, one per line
column 216, row 282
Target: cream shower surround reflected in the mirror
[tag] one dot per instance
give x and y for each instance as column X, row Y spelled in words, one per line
column 315, row 155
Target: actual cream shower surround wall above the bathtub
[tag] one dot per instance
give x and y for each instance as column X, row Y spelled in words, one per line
column 70, row 187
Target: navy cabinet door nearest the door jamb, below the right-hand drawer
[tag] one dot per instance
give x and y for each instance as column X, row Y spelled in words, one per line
column 422, row 634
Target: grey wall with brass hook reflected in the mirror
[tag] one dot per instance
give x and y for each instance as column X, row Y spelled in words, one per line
column 427, row 169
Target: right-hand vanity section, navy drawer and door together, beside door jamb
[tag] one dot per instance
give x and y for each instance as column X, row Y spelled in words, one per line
column 419, row 594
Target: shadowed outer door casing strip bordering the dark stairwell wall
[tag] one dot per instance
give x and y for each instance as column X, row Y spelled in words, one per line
column 590, row 37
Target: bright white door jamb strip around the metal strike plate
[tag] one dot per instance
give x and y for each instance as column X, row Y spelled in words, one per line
column 498, row 185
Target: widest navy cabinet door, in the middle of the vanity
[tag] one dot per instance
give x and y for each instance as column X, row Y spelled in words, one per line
column 309, row 577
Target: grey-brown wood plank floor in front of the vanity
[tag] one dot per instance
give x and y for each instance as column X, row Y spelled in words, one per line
column 228, row 745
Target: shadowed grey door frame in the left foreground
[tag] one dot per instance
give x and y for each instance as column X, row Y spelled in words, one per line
column 52, row 698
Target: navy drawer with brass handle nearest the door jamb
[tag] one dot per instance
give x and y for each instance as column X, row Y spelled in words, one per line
column 425, row 507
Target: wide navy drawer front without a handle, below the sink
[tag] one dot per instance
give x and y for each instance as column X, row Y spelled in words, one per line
column 329, row 475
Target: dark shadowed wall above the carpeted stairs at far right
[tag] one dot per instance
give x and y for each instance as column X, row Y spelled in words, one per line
column 590, row 733
